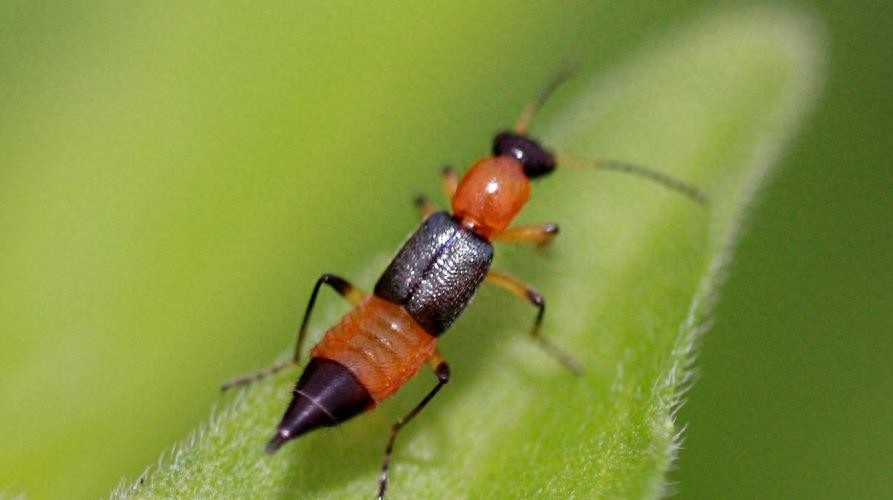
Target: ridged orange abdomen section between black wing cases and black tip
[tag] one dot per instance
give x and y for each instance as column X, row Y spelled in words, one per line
column 380, row 343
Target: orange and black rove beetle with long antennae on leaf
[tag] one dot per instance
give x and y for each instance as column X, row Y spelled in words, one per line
column 380, row 344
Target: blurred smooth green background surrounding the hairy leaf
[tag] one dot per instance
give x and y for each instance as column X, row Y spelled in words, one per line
column 174, row 177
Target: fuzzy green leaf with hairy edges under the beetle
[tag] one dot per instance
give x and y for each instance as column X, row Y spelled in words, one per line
column 629, row 286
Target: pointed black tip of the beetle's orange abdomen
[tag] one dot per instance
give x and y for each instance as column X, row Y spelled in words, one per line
column 326, row 394
